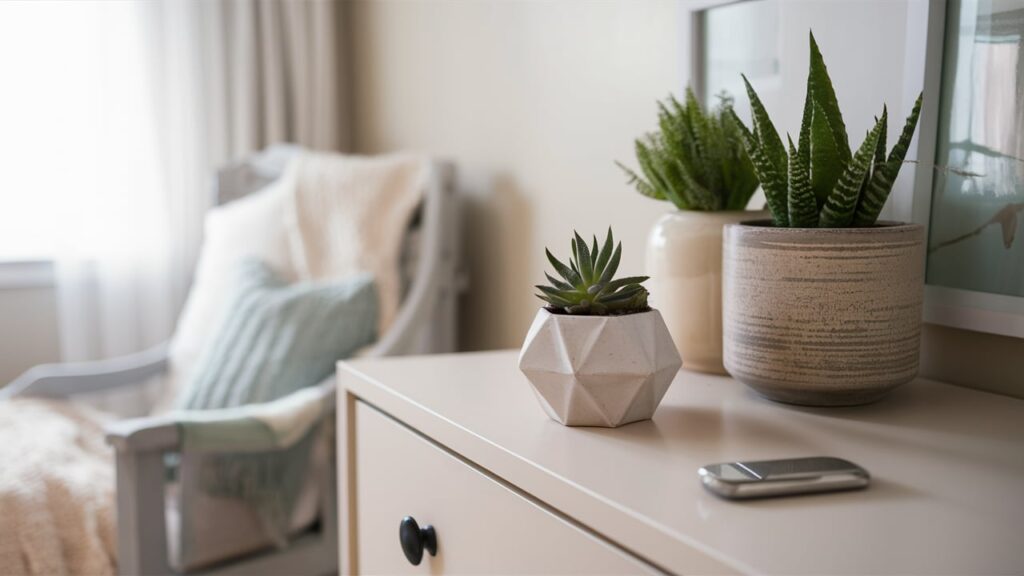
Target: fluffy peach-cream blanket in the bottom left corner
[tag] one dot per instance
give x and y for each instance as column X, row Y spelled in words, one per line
column 57, row 490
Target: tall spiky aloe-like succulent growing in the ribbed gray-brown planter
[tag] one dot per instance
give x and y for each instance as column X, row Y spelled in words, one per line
column 821, row 182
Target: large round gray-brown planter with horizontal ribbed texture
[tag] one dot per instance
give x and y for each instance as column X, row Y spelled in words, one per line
column 823, row 317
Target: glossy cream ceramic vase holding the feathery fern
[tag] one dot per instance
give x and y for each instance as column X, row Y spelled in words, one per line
column 685, row 263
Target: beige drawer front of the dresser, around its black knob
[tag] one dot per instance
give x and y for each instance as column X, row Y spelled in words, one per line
column 483, row 527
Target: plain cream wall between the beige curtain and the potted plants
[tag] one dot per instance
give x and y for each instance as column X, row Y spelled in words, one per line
column 535, row 101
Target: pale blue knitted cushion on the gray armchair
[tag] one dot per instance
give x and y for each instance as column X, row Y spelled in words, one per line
column 276, row 338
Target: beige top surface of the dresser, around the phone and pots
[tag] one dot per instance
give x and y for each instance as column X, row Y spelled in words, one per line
column 948, row 467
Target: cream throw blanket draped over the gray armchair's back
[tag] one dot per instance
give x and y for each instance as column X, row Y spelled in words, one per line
column 349, row 215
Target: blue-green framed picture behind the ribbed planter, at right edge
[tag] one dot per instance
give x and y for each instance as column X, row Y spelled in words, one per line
column 969, row 184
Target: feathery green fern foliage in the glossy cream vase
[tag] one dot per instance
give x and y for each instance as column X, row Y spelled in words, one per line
column 697, row 160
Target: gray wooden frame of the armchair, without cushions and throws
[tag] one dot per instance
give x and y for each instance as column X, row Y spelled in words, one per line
column 426, row 323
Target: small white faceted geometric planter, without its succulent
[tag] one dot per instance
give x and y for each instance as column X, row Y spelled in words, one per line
column 600, row 371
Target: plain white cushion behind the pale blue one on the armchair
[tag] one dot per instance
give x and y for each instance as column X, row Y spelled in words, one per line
column 251, row 227
